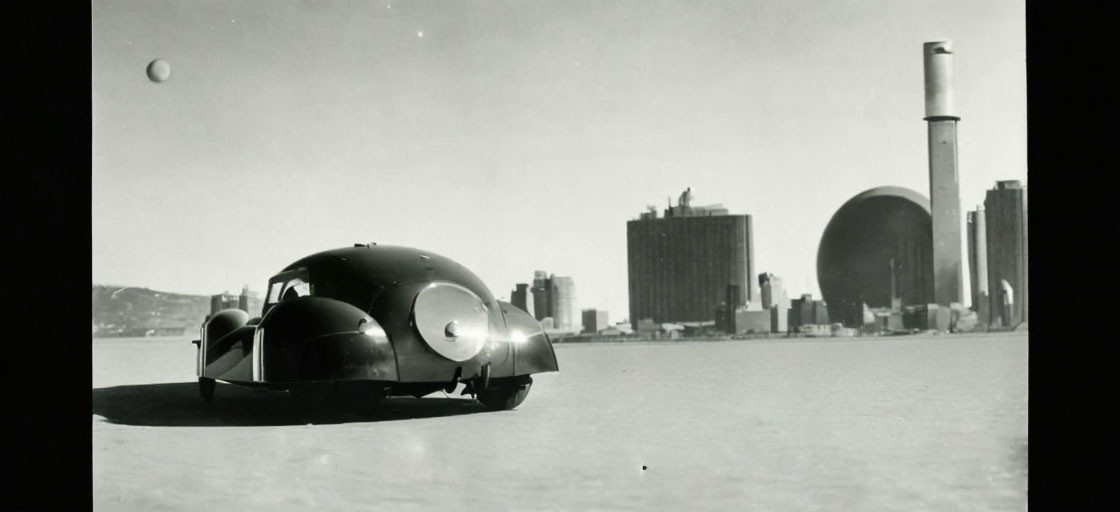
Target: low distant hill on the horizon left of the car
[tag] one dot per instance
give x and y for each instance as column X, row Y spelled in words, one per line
column 125, row 312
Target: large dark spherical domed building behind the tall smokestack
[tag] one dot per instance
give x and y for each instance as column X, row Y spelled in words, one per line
column 876, row 250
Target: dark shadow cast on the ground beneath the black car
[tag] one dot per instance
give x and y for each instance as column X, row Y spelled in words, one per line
column 180, row 405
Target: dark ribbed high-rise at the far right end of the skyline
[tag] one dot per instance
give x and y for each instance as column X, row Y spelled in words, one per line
column 1006, row 218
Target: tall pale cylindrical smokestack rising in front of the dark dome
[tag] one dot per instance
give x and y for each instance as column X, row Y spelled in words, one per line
column 945, row 184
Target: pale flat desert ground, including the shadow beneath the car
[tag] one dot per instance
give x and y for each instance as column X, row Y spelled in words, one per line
column 851, row 424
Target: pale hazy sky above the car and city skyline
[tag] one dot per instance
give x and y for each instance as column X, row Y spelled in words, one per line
column 520, row 136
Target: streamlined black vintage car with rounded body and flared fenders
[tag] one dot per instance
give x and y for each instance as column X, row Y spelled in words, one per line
column 386, row 321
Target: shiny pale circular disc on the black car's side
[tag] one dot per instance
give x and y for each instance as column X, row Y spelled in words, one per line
column 452, row 320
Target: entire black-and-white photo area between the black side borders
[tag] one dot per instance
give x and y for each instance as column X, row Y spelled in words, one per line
column 514, row 255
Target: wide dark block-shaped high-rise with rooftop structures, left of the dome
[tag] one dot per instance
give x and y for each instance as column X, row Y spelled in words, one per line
column 680, row 265
